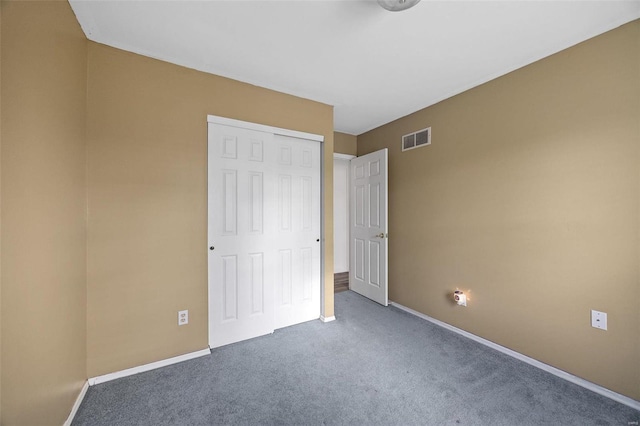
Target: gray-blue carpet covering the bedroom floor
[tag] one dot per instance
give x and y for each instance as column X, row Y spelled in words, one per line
column 374, row 365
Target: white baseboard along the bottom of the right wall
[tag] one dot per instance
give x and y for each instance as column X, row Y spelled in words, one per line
column 541, row 365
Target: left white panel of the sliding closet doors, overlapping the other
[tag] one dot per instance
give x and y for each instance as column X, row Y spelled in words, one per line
column 241, row 232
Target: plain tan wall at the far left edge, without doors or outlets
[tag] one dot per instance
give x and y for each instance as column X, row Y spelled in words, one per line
column 44, row 62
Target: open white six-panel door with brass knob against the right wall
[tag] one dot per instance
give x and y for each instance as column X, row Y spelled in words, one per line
column 368, row 227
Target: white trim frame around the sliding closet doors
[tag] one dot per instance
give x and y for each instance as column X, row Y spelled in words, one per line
column 295, row 134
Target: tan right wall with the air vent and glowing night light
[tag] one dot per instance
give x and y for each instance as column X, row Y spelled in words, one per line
column 529, row 198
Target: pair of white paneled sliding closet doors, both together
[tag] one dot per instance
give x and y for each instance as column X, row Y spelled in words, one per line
column 264, row 220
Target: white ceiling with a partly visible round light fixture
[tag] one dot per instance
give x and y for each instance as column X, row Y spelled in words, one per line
column 374, row 66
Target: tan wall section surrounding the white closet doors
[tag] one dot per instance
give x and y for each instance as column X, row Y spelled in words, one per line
column 147, row 136
